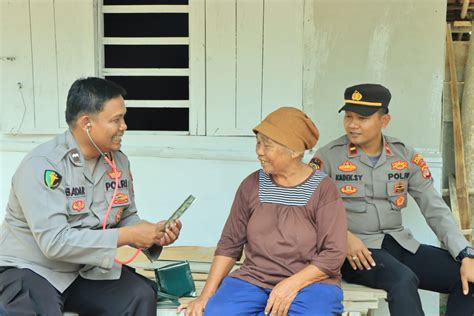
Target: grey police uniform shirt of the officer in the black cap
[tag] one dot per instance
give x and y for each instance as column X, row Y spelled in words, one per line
column 375, row 195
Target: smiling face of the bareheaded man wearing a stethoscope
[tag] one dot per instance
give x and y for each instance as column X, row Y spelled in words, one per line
column 108, row 126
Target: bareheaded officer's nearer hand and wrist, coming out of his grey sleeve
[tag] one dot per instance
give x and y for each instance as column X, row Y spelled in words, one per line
column 142, row 235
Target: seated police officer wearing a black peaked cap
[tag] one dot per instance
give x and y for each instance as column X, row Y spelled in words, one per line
column 374, row 173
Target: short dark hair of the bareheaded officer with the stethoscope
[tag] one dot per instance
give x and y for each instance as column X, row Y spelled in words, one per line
column 88, row 95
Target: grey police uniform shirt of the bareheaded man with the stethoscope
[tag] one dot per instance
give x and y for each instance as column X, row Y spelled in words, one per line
column 53, row 221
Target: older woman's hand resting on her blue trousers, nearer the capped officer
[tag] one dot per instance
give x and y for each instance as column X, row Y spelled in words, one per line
column 282, row 296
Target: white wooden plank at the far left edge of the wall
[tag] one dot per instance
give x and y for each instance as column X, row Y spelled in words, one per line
column 16, row 68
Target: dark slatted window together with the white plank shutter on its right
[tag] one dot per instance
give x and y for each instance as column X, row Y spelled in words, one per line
column 213, row 67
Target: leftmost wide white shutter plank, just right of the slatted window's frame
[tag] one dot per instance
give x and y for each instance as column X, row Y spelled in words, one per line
column 220, row 64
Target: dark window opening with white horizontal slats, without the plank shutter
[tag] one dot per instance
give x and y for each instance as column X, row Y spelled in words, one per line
column 145, row 49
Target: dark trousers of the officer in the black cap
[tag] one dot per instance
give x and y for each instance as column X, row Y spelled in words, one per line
column 401, row 274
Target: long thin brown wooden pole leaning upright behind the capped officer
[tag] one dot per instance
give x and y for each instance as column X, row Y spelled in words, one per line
column 461, row 183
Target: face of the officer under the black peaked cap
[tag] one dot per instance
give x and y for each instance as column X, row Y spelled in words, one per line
column 365, row 131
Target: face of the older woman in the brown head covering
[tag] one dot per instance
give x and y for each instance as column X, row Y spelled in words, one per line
column 273, row 157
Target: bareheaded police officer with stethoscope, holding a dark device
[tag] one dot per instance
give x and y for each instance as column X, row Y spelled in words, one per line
column 71, row 206
